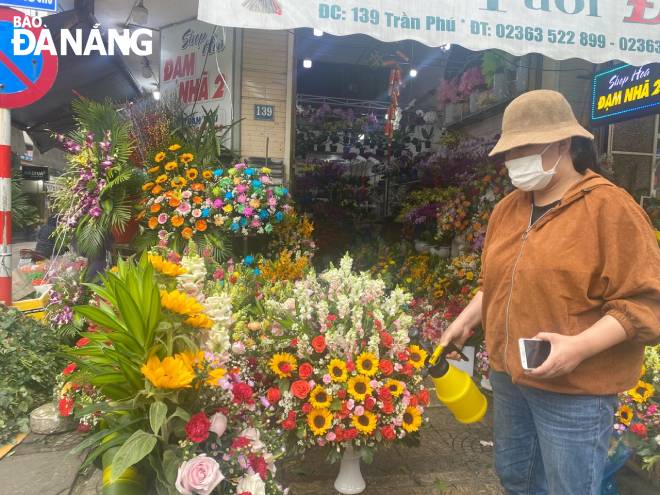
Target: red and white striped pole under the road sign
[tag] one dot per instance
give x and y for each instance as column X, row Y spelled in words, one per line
column 5, row 206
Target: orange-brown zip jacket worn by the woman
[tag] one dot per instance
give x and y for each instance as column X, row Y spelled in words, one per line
column 593, row 255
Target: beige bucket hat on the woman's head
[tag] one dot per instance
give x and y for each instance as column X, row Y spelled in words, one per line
column 538, row 117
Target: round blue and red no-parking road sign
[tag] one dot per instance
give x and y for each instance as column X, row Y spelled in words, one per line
column 23, row 78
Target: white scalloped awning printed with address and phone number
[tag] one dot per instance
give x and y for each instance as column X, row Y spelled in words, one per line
column 594, row 30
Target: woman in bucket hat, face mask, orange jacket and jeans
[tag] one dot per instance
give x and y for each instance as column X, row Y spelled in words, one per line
column 572, row 259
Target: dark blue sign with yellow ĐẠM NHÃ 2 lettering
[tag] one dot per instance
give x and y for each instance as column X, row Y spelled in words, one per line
column 625, row 92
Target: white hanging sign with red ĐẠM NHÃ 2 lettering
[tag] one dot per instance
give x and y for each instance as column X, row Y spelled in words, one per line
column 196, row 66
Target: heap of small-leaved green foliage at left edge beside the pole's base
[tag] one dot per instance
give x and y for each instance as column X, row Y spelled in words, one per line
column 28, row 365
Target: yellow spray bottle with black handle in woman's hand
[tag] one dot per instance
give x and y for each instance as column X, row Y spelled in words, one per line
column 455, row 388
